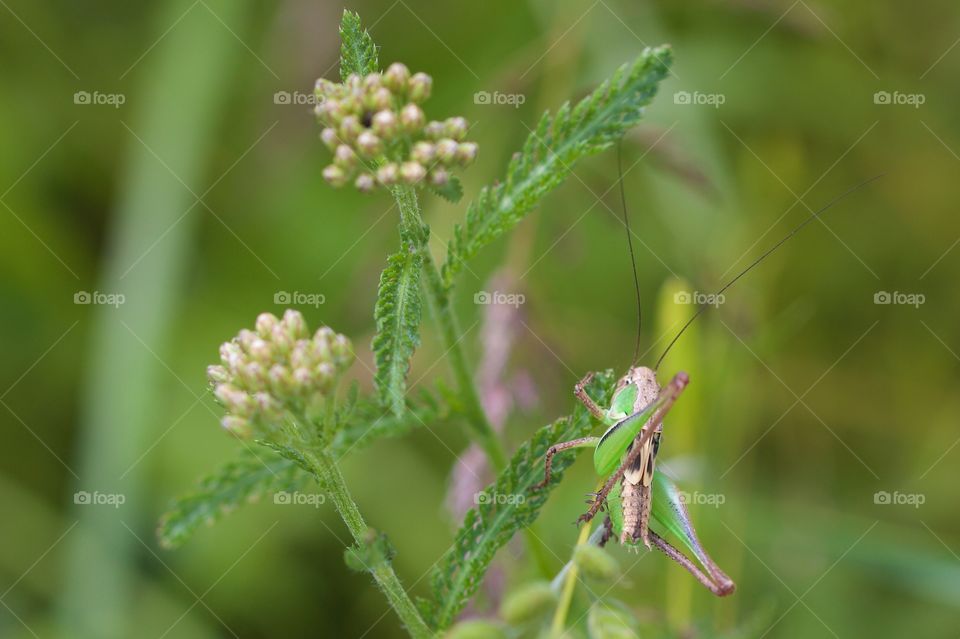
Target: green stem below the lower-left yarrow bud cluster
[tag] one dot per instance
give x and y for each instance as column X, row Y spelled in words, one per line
column 328, row 474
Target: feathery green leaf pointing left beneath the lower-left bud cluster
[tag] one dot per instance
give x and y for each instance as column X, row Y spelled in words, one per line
column 236, row 483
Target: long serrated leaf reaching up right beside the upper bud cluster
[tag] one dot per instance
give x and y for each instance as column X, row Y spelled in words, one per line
column 549, row 154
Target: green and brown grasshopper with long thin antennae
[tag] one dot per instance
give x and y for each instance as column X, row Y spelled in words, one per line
column 626, row 452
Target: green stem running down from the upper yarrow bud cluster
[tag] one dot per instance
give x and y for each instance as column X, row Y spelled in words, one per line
column 414, row 231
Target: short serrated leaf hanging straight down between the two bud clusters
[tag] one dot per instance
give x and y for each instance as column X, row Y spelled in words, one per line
column 397, row 314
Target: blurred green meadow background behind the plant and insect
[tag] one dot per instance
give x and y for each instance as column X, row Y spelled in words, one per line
column 163, row 151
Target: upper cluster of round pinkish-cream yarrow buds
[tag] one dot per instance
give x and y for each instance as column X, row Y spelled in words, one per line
column 378, row 132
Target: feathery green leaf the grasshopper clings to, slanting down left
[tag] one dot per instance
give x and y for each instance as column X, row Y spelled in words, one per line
column 512, row 504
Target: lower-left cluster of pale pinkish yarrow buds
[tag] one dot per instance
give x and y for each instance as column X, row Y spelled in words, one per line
column 275, row 369
